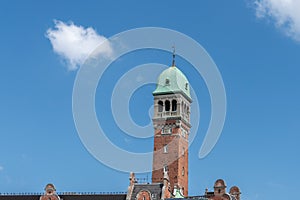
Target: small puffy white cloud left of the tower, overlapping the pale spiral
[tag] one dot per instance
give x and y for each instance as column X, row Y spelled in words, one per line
column 75, row 43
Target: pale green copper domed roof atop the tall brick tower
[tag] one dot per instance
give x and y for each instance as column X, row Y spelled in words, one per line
column 172, row 80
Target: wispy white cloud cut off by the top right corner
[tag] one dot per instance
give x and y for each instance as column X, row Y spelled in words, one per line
column 284, row 13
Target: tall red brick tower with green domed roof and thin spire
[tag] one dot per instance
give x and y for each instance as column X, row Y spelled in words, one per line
column 171, row 122
